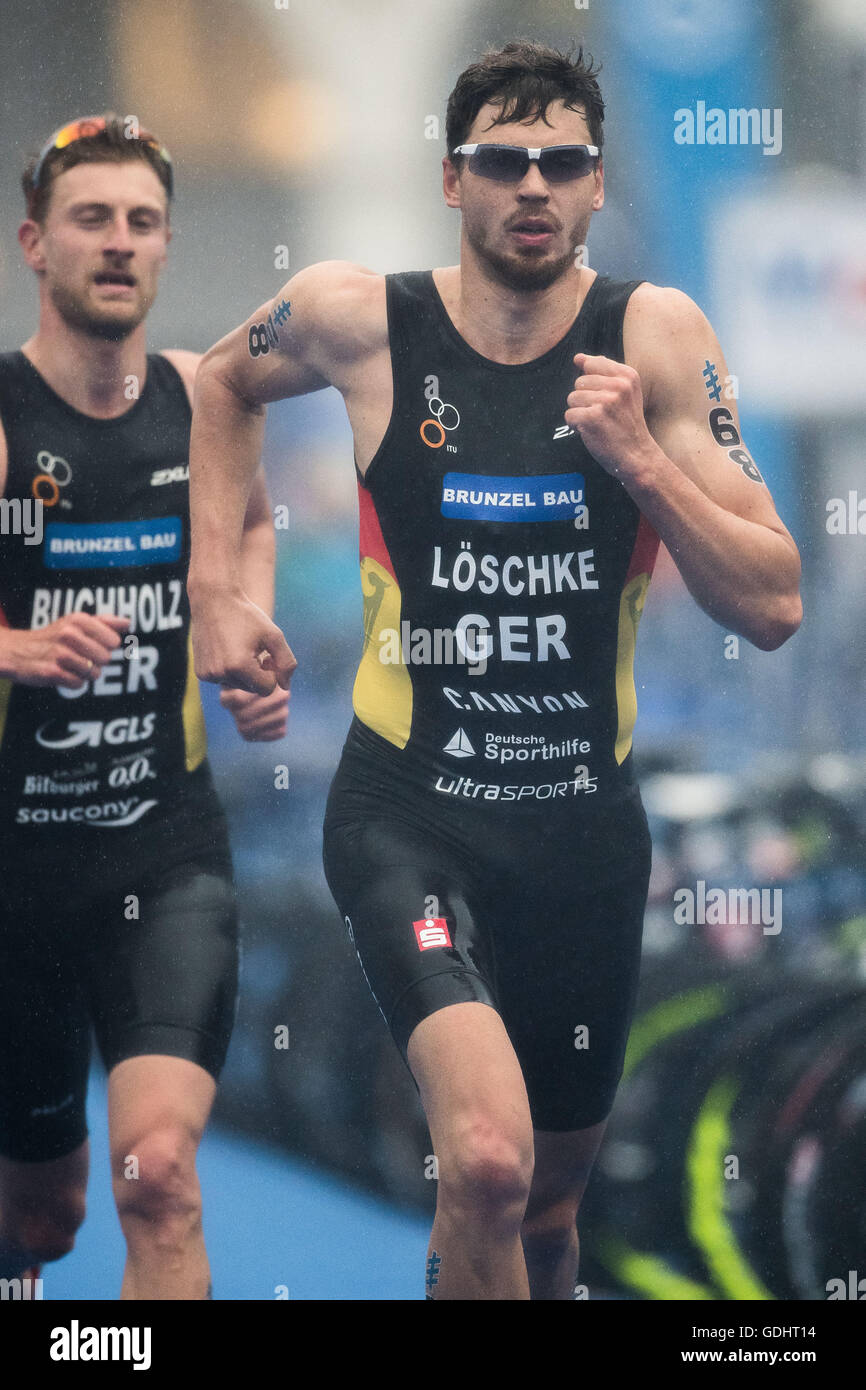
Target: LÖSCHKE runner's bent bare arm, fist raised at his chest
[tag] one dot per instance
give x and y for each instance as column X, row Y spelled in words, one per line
column 679, row 455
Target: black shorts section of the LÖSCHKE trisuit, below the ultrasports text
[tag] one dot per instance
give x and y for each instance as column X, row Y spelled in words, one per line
column 537, row 915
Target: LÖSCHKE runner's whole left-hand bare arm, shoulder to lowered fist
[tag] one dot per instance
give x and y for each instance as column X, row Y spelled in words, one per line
column 302, row 341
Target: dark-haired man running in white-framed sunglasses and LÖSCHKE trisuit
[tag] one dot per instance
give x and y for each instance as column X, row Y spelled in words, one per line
column 525, row 434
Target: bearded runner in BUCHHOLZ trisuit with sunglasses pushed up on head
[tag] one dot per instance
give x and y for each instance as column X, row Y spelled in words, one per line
column 116, row 899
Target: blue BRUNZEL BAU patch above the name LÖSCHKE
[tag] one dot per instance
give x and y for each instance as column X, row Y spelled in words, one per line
column 550, row 498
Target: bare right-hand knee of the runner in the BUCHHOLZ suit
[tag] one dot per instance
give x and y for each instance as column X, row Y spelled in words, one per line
column 155, row 1178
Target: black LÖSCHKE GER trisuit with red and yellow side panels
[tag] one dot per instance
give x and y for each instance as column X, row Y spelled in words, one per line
column 484, row 836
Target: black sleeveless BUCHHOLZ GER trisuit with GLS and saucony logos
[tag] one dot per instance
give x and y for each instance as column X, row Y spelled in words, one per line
column 116, row 893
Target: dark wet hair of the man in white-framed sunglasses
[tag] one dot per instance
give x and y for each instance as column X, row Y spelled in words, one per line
column 523, row 80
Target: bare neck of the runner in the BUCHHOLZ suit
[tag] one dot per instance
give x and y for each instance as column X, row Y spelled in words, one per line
column 95, row 376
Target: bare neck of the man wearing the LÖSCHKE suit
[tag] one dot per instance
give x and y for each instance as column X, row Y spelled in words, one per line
column 504, row 325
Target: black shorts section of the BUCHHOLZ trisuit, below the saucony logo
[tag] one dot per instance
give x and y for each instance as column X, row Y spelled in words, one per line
column 145, row 953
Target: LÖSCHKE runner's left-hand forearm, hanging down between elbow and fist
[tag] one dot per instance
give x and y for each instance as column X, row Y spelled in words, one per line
column 224, row 451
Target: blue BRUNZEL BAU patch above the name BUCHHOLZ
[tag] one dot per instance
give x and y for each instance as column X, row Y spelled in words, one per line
column 92, row 546
